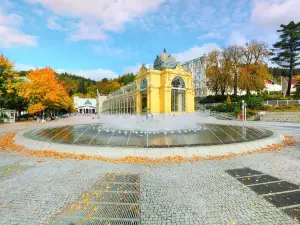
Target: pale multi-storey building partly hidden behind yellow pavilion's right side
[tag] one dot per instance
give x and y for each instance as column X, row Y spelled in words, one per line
column 197, row 68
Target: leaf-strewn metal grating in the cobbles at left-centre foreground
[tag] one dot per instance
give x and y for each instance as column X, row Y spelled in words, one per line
column 113, row 200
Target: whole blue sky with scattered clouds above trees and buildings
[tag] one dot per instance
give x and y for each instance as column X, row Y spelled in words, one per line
column 106, row 38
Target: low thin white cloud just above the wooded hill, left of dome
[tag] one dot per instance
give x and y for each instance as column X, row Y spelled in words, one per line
column 95, row 74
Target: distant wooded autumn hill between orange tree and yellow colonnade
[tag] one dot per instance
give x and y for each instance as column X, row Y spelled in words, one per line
column 84, row 87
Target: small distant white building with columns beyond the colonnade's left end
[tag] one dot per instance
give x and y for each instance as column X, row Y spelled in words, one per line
column 85, row 105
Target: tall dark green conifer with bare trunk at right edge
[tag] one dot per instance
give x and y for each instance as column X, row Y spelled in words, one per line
column 285, row 52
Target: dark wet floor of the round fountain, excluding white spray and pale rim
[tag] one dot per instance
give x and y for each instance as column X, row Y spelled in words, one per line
column 101, row 136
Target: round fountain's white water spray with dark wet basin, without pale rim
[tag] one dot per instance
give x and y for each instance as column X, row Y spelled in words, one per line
column 146, row 132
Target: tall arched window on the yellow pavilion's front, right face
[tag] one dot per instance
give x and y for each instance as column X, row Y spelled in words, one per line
column 178, row 95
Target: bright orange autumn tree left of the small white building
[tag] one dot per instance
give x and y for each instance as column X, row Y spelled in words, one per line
column 44, row 92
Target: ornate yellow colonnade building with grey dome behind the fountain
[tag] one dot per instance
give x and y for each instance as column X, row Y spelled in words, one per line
column 168, row 88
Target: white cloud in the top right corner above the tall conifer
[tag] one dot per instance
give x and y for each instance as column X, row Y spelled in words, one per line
column 271, row 13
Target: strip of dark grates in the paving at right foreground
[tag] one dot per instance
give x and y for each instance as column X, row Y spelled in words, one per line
column 282, row 194
